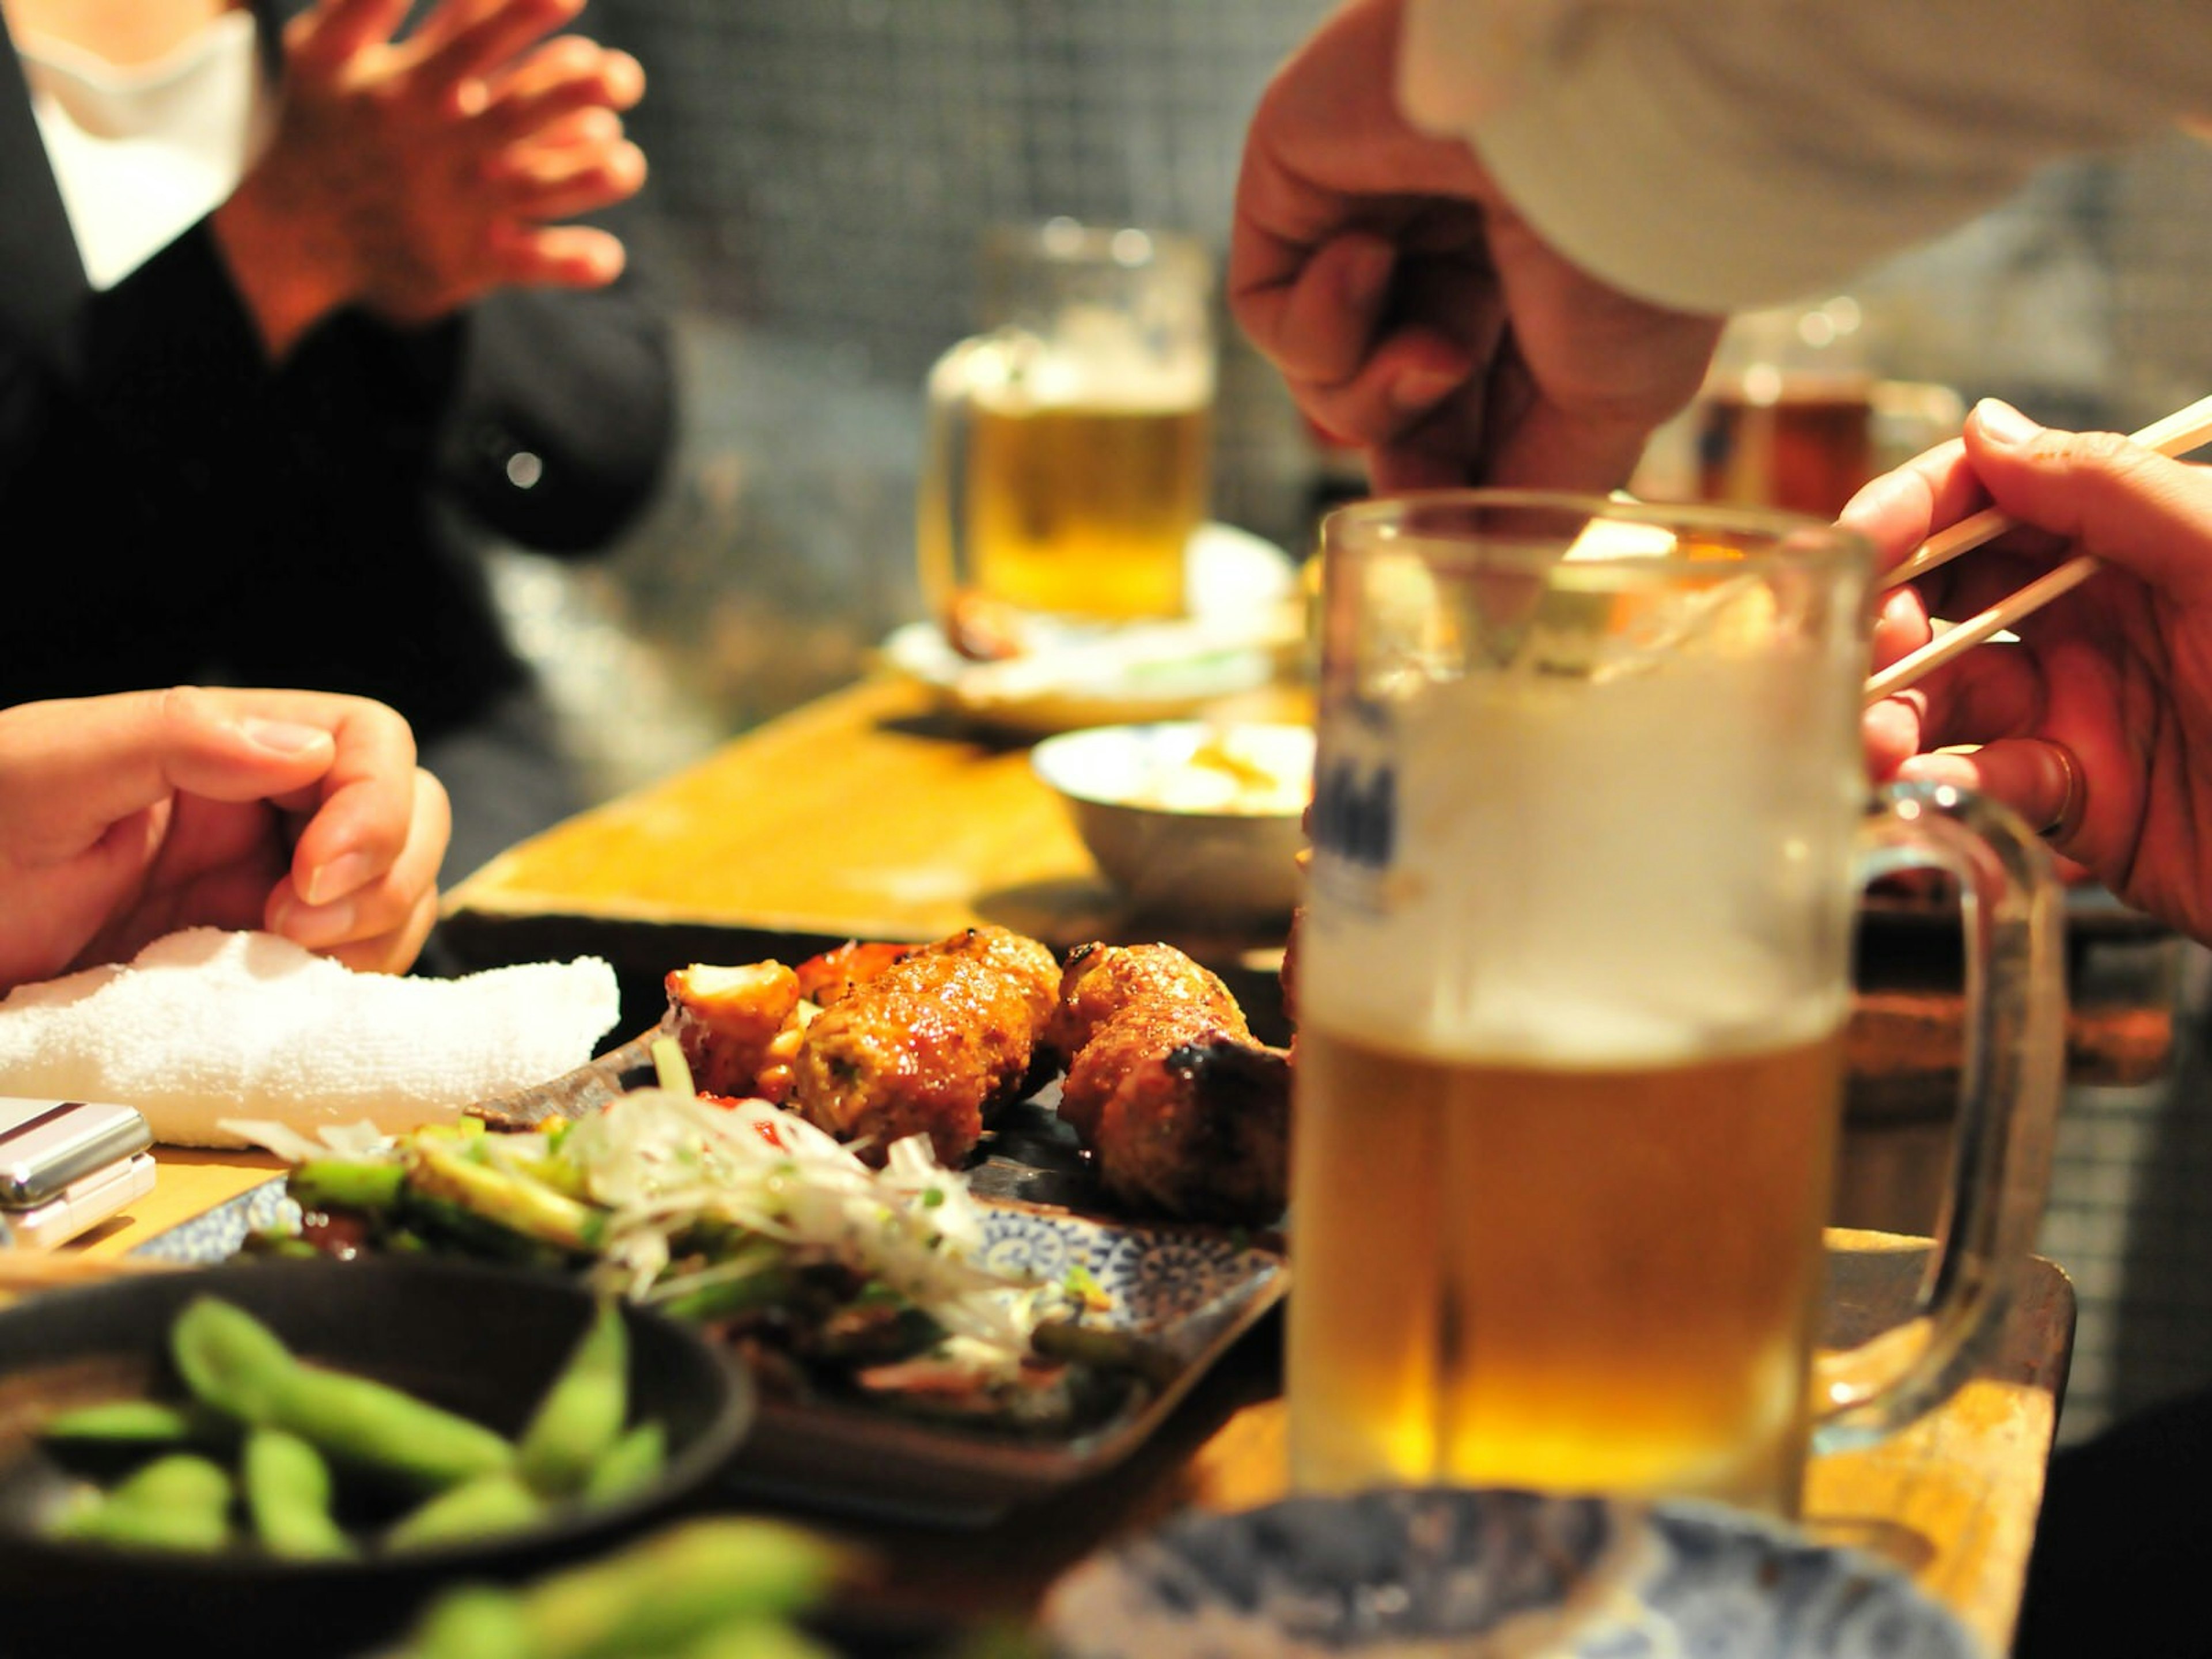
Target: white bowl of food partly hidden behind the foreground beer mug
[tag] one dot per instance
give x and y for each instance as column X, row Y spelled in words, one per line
column 1191, row 820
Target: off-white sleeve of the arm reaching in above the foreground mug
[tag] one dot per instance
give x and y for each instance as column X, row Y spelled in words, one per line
column 1724, row 154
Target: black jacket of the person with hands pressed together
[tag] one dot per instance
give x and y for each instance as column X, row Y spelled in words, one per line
column 178, row 510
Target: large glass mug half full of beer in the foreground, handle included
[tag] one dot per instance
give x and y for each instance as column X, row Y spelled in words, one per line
column 1574, row 974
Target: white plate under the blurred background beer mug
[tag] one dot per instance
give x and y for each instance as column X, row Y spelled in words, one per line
column 1242, row 596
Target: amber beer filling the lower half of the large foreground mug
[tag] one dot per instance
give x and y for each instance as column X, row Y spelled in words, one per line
column 1558, row 1277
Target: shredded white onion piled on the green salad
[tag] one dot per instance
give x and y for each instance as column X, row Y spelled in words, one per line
column 665, row 1162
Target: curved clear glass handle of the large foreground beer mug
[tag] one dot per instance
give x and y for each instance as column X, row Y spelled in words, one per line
column 2010, row 1094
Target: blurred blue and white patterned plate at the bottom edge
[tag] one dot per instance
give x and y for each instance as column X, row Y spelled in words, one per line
column 1505, row 1574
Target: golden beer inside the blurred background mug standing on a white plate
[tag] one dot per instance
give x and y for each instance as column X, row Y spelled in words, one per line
column 1087, row 510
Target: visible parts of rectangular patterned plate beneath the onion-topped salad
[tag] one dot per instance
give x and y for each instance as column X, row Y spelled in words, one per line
column 1189, row 1291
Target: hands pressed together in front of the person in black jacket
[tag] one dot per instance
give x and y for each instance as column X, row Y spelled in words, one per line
column 413, row 178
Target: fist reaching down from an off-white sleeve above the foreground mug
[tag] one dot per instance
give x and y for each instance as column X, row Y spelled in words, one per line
column 1415, row 313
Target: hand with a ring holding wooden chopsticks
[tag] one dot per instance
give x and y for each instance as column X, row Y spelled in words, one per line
column 2098, row 724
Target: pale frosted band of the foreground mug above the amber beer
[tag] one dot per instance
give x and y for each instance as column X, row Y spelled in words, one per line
column 1596, row 870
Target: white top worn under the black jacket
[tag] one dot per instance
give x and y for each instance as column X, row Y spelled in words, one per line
column 147, row 152
